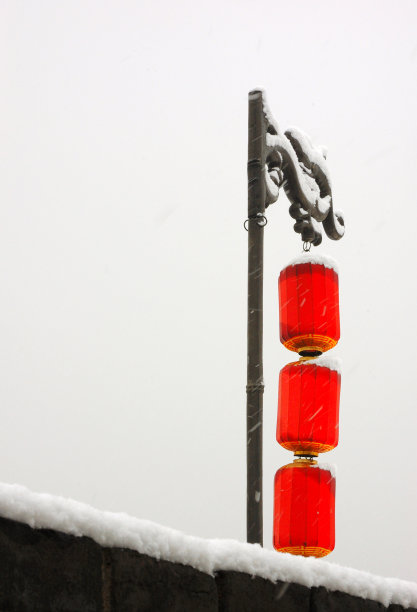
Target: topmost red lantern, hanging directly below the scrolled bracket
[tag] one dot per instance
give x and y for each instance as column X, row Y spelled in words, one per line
column 309, row 305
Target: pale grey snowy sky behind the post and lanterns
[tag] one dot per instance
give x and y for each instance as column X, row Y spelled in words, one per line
column 123, row 255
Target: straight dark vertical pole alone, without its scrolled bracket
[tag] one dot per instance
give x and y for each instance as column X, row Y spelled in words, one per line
column 255, row 386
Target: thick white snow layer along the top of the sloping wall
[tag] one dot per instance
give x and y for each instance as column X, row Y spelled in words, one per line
column 117, row 529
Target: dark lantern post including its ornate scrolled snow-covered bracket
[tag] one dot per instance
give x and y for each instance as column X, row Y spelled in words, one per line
column 276, row 159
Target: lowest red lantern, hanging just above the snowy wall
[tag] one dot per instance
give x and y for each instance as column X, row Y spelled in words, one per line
column 304, row 504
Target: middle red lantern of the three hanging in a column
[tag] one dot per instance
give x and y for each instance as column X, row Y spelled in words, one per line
column 308, row 406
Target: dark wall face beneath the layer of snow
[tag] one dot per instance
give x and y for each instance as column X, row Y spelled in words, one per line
column 43, row 570
